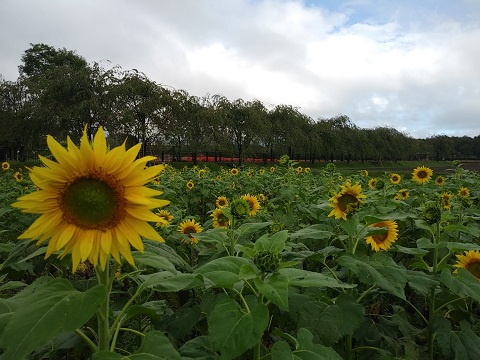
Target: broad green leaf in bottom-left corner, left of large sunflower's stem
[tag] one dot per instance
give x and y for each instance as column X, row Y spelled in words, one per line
column 46, row 308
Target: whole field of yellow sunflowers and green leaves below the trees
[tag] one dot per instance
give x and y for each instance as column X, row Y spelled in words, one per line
column 104, row 256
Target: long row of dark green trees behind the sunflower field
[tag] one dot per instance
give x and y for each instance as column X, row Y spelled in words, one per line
column 58, row 92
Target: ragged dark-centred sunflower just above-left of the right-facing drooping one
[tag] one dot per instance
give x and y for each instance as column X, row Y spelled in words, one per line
column 346, row 201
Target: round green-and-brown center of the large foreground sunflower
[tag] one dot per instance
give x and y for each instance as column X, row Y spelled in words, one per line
column 92, row 203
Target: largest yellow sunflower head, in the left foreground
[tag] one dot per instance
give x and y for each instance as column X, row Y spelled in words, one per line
column 92, row 201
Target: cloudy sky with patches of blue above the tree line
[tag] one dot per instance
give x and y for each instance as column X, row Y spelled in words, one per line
column 413, row 65
